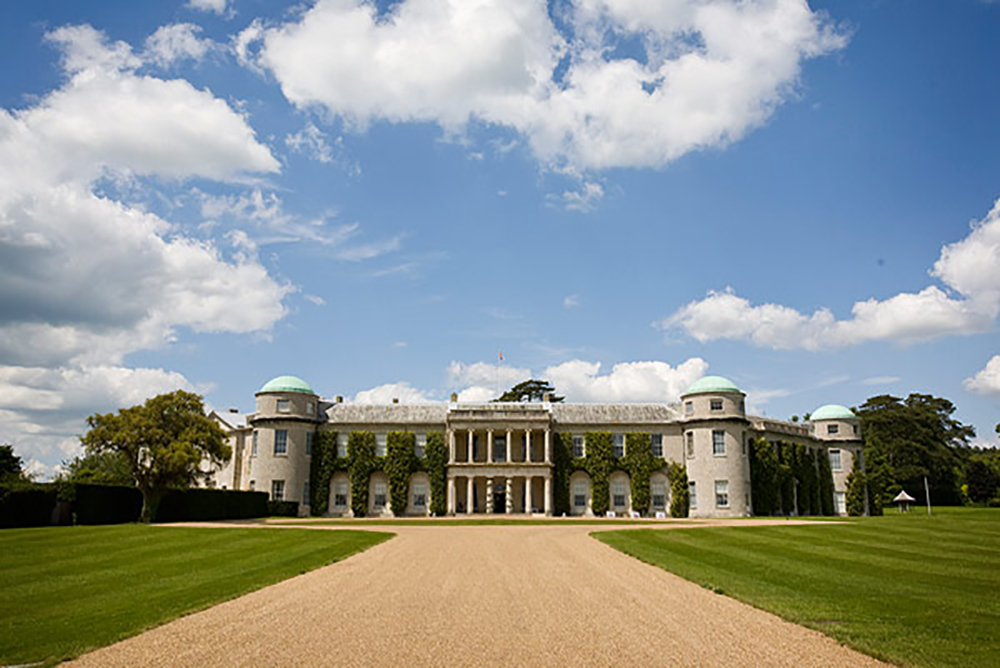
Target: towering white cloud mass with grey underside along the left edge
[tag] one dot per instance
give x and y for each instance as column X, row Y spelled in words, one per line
column 86, row 279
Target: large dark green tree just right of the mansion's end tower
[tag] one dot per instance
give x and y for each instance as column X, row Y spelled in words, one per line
column 916, row 437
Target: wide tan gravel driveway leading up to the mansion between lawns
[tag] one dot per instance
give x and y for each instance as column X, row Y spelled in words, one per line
column 482, row 595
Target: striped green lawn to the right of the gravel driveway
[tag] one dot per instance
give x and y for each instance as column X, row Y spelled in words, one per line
column 912, row 589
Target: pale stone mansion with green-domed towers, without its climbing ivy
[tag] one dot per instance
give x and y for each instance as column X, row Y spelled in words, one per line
column 500, row 455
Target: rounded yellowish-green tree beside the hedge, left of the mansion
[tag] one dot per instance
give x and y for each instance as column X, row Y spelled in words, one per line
column 164, row 441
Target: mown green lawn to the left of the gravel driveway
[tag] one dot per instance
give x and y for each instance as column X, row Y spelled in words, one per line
column 70, row 589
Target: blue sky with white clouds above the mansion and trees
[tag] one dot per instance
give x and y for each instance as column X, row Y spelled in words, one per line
column 379, row 197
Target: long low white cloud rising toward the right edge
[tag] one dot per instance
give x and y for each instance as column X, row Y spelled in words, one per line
column 970, row 270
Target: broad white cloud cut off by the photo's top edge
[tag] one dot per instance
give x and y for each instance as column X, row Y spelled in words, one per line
column 708, row 71
